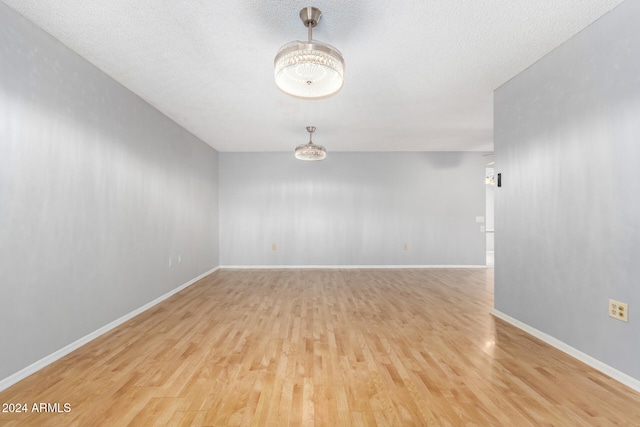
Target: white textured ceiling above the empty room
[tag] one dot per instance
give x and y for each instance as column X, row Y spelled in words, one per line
column 419, row 74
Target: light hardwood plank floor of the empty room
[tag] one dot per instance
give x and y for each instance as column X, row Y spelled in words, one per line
column 327, row 348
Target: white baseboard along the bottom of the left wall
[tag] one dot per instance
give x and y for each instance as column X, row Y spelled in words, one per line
column 36, row 366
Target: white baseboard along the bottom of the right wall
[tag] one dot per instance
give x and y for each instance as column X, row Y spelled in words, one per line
column 594, row 363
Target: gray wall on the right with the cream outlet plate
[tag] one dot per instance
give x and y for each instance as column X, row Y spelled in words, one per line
column 567, row 142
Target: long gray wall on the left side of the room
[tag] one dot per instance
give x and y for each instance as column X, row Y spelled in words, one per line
column 97, row 191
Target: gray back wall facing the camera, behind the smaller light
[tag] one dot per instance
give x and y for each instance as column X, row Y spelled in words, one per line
column 352, row 209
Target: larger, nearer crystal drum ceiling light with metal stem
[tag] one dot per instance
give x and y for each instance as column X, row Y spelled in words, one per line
column 310, row 69
